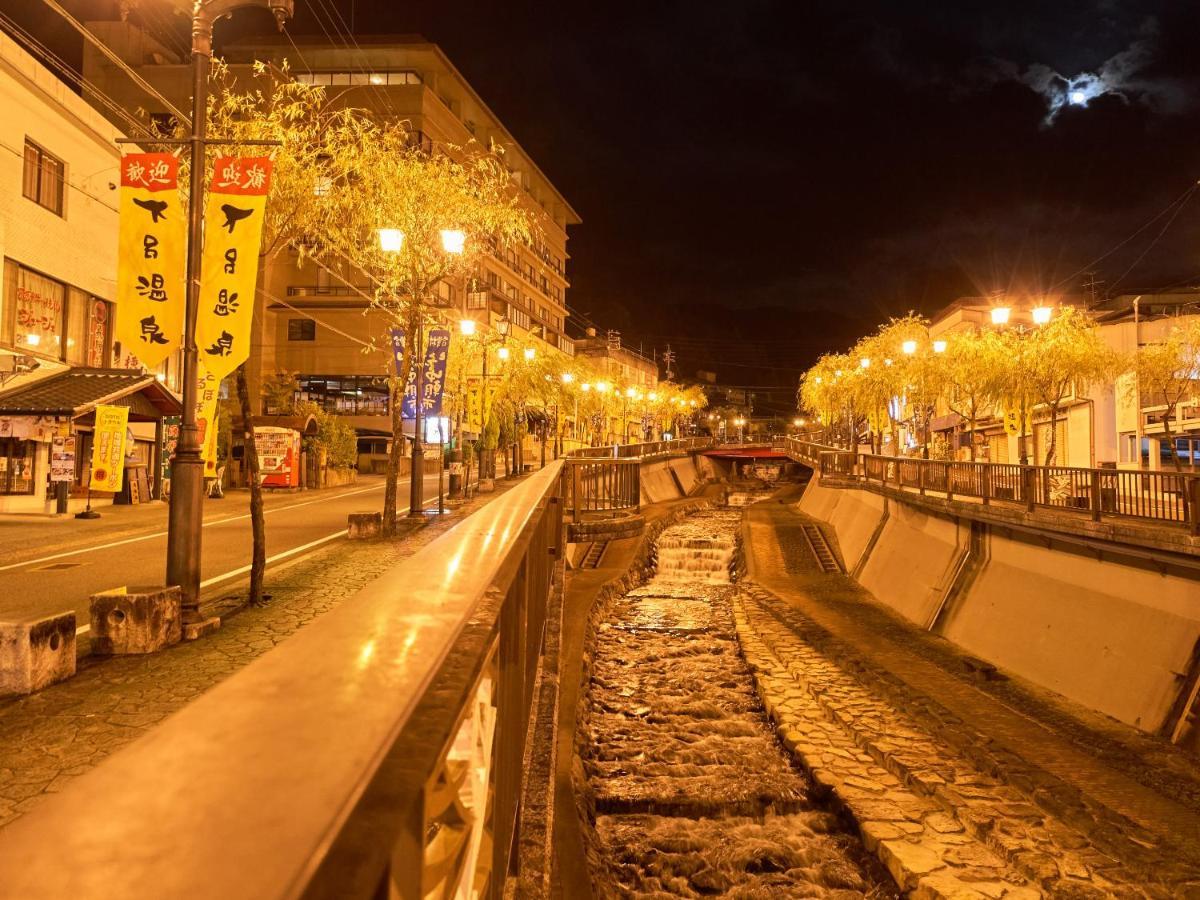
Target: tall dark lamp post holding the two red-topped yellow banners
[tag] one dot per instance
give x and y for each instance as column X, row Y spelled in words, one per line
column 185, row 517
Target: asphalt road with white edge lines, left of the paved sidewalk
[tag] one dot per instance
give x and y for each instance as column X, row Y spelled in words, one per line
column 133, row 550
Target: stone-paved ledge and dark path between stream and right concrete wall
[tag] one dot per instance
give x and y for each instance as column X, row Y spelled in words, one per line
column 1079, row 806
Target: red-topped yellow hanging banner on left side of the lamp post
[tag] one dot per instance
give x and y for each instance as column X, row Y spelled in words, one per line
column 152, row 251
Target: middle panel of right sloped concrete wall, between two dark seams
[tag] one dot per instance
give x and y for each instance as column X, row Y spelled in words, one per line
column 913, row 563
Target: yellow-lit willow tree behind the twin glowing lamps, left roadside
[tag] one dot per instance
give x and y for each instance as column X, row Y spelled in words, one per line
column 412, row 220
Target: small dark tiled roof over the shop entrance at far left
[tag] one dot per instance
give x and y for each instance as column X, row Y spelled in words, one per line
column 79, row 392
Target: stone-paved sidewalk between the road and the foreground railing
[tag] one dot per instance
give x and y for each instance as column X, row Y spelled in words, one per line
column 49, row 739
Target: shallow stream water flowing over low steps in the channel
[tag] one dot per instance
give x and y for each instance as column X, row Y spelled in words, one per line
column 694, row 796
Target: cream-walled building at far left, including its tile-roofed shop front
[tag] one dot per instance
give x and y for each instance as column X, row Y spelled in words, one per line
column 58, row 238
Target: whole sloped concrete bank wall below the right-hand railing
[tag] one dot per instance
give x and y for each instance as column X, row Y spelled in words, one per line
column 1111, row 629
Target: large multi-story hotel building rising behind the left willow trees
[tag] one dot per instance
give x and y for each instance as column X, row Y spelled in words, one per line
column 313, row 323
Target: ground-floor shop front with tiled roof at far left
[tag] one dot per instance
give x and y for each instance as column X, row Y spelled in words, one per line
column 46, row 431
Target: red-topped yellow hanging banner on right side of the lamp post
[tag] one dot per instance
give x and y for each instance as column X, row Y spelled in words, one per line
column 233, row 236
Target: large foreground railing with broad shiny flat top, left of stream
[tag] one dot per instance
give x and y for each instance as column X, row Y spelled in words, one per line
column 381, row 752
